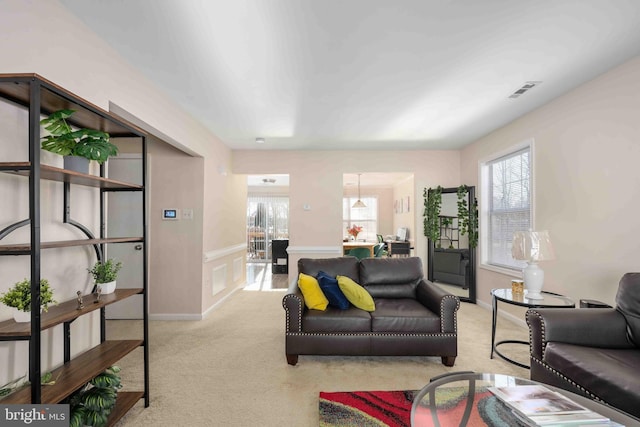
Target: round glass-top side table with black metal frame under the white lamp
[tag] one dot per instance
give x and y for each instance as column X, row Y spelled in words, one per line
column 550, row 300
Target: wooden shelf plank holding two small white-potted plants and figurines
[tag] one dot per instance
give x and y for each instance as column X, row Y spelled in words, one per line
column 64, row 312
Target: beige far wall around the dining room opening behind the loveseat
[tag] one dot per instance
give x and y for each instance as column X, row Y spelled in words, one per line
column 315, row 179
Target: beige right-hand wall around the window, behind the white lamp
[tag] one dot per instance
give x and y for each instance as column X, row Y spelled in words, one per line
column 586, row 159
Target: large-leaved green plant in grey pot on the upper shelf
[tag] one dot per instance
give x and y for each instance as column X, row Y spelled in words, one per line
column 65, row 141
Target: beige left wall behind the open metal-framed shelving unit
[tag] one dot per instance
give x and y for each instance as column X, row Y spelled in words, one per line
column 42, row 37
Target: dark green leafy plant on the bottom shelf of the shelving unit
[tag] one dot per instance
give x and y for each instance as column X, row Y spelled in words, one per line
column 93, row 403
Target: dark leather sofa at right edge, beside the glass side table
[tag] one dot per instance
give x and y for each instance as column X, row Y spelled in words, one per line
column 593, row 351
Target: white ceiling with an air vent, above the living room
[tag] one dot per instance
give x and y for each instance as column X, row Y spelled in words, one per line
column 363, row 74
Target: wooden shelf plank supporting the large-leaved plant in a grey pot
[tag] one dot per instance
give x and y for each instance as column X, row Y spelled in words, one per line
column 63, row 175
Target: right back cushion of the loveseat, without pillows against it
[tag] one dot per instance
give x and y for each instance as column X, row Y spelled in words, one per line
column 391, row 277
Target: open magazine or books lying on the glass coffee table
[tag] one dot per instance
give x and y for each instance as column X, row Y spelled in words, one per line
column 537, row 405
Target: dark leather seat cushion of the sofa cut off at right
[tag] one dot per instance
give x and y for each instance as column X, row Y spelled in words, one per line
column 610, row 374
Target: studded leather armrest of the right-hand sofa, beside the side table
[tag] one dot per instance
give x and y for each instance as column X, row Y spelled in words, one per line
column 598, row 327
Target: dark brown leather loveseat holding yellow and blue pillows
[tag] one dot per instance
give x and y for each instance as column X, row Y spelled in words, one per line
column 413, row 317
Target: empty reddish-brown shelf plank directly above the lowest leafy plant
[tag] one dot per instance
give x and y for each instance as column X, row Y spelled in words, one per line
column 76, row 373
